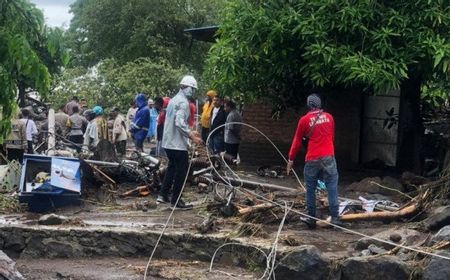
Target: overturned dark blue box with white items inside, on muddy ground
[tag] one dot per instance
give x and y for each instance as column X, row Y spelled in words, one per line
column 47, row 183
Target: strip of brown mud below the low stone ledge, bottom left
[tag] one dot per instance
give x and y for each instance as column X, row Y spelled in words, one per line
column 129, row 268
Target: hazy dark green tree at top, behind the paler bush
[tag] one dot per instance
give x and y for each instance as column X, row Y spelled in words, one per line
column 128, row 30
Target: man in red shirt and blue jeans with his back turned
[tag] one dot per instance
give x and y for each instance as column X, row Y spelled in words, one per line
column 317, row 127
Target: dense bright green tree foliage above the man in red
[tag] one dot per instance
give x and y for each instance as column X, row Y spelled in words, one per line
column 280, row 49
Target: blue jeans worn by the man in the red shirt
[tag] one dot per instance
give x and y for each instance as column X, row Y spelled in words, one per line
column 323, row 168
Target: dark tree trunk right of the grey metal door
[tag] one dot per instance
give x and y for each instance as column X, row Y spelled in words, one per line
column 410, row 129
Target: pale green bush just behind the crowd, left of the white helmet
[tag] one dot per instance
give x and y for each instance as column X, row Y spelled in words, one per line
column 110, row 84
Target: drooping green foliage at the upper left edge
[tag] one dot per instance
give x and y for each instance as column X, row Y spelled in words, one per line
column 27, row 46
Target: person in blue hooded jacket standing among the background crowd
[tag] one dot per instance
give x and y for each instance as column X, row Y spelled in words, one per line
column 141, row 122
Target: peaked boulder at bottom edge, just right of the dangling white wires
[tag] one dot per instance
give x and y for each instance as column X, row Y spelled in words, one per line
column 306, row 263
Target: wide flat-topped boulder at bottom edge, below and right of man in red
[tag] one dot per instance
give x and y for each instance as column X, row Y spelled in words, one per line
column 374, row 268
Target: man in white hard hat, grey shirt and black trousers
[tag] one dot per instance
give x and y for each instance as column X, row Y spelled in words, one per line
column 176, row 142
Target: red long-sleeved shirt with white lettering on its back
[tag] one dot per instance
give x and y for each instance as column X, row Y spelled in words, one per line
column 320, row 139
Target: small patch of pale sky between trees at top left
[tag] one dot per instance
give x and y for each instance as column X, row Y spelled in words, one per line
column 56, row 12
